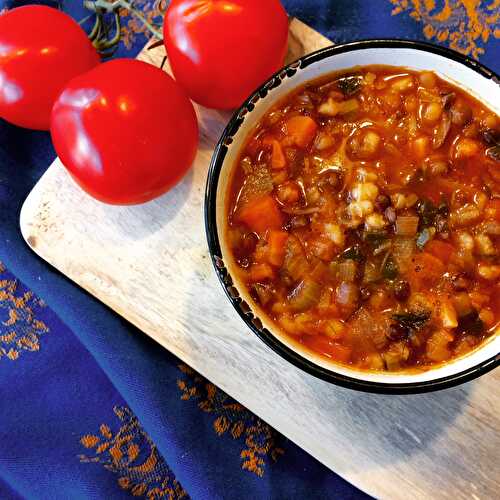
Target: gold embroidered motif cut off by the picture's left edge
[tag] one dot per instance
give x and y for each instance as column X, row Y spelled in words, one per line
column 20, row 331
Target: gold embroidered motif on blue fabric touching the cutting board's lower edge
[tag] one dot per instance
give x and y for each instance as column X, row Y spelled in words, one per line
column 233, row 419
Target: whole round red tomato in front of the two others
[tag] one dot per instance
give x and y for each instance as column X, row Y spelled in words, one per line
column 125, row 131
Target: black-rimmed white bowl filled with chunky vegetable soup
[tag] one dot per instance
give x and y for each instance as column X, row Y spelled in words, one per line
column 353, row 215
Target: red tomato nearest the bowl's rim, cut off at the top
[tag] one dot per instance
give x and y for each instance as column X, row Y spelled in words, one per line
column 220, row 51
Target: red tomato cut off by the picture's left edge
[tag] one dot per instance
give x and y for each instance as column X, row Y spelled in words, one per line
column 41, row 49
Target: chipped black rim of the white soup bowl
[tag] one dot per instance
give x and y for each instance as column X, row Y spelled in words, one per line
column 215, row 249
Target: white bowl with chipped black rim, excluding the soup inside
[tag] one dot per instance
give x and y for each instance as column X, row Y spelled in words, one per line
column 449, row 65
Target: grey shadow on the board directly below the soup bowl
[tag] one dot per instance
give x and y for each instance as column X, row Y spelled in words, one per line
column 398, row 426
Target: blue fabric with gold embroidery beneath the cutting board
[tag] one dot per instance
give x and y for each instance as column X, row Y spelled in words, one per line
column 92, row 408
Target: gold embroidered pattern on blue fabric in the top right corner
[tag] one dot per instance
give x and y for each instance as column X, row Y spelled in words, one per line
column 464, row 25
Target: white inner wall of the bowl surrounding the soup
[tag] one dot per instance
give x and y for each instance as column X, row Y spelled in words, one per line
column 486, row 90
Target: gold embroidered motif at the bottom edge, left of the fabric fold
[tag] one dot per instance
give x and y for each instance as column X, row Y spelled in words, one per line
column 133, row 457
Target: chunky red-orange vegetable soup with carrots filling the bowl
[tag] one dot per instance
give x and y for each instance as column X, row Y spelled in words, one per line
column 364, row 218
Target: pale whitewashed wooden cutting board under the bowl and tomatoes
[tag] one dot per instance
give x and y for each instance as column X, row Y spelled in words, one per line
column 151, row 265
